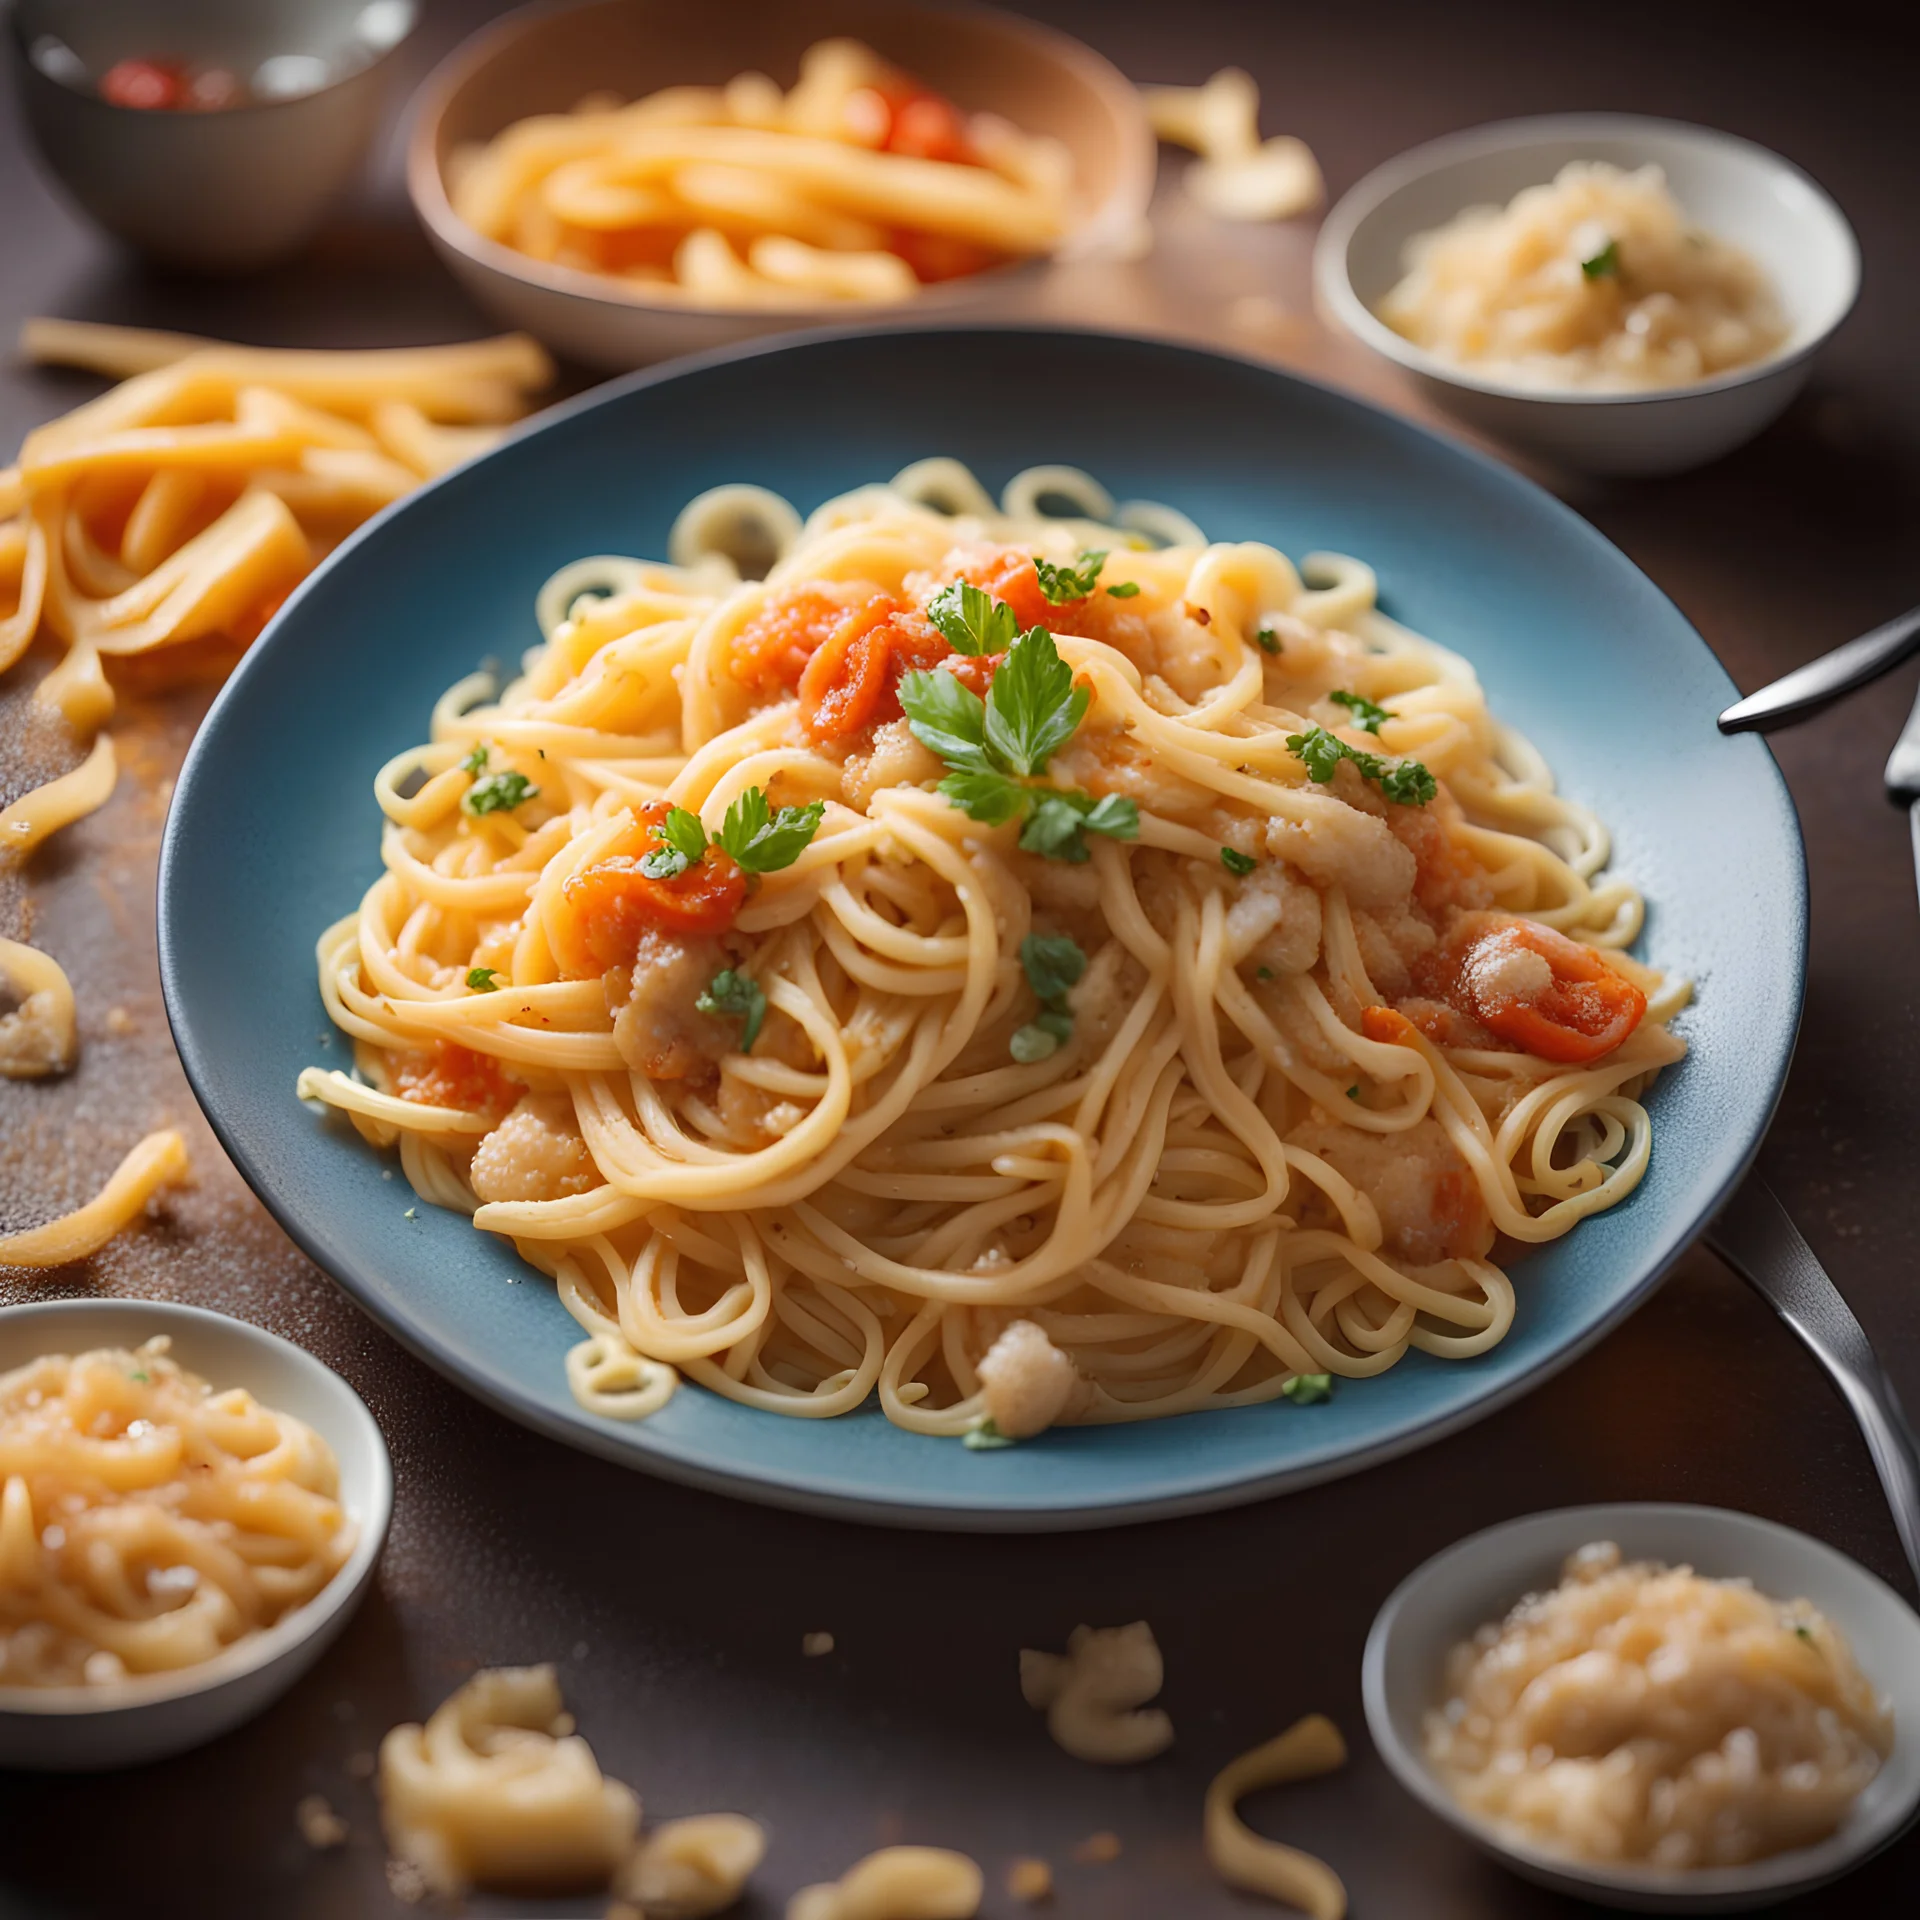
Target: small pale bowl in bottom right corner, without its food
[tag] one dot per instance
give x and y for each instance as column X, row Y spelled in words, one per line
column 1479, row 1579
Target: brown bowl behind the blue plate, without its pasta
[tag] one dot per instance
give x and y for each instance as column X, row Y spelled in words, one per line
column 544, row 60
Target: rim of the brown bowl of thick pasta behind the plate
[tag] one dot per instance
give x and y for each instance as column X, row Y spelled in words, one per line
column 427, row 187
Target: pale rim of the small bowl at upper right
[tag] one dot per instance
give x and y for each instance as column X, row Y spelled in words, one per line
column 1333, row 249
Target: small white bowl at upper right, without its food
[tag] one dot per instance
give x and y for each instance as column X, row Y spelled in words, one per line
column 1731, row 187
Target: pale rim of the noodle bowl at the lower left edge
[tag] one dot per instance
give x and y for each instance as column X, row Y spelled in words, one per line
column 293, row 1629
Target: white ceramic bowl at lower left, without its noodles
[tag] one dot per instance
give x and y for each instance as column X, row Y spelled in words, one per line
column 145, row 1719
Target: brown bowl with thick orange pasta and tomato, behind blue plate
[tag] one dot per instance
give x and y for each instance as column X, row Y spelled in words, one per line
column 631, row 180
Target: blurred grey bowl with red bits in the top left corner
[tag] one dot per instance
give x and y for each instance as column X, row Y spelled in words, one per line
column 220, row 191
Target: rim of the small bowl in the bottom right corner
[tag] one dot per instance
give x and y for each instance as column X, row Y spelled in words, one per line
column 1777, row 1875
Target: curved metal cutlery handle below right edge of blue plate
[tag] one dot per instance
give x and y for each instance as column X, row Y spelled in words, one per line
column 1760, row 1241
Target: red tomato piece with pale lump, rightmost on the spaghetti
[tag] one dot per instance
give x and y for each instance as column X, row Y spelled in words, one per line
column 1537, row 990
